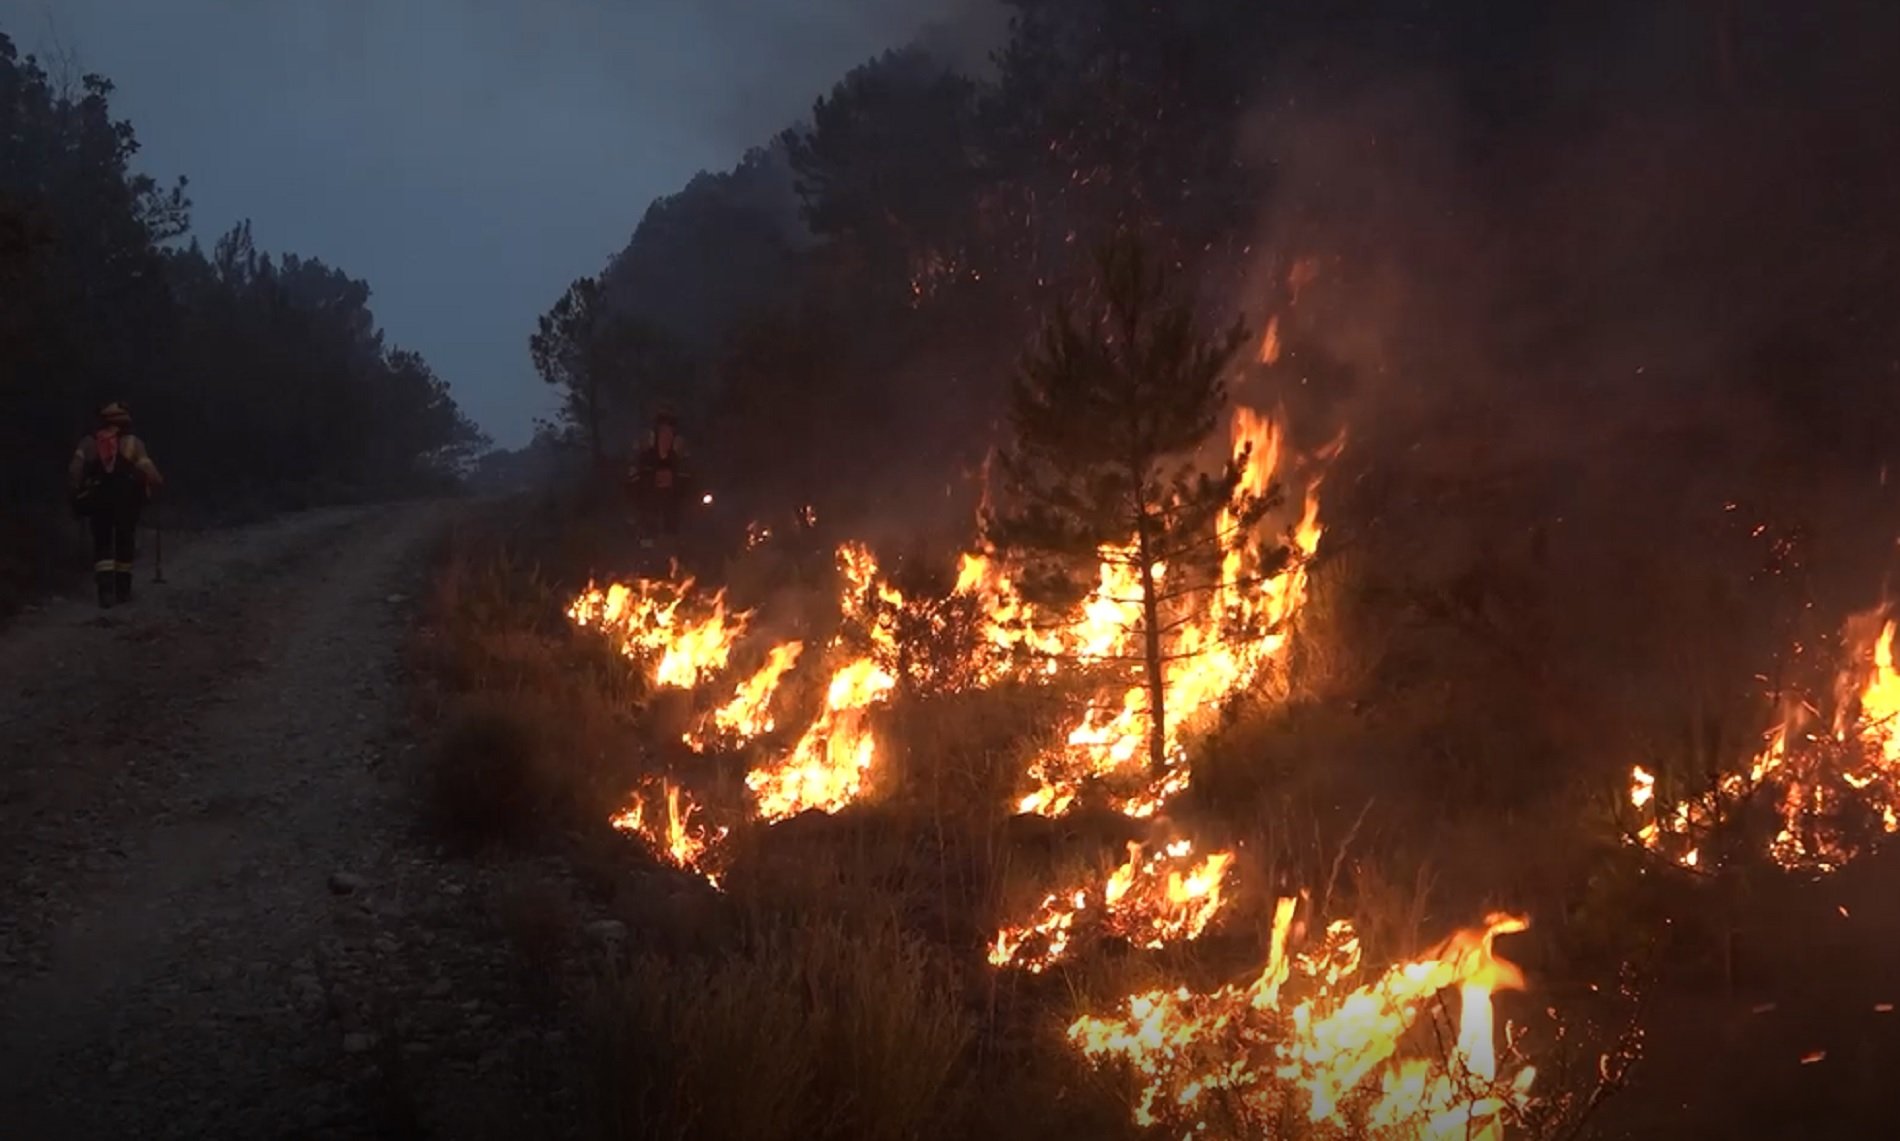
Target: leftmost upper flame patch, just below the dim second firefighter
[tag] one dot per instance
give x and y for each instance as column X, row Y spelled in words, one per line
column 655, row 624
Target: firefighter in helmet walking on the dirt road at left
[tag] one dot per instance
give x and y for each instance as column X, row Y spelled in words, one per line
column 113, row 476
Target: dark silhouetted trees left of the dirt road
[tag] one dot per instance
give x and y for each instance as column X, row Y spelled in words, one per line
column 263, row 383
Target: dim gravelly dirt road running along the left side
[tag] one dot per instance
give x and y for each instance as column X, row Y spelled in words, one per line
column 218, row 918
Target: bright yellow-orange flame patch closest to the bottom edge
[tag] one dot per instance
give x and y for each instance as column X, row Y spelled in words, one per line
column 1337, row 1055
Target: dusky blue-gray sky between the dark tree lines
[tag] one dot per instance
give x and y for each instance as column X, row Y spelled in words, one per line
column 468, row 159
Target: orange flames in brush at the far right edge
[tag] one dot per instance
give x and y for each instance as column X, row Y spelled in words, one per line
column 1825, row 789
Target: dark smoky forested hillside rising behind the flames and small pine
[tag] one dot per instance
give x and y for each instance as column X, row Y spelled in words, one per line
column 1515, row 229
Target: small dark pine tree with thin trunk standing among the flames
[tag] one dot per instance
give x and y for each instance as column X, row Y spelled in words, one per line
column 1109, row 415
